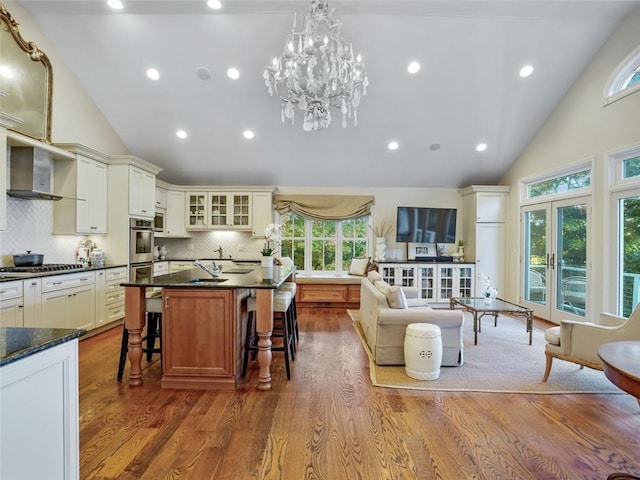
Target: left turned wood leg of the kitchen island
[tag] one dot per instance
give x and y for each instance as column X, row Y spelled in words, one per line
column 134, row 321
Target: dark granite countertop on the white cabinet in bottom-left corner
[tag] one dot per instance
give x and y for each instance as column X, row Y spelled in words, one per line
column 17, row 343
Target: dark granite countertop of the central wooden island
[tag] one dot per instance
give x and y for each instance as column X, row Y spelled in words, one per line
column 230, row 278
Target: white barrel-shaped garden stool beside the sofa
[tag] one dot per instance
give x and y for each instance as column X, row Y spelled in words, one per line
column 423, row 351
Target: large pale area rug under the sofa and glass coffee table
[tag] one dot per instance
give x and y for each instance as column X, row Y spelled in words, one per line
column 501, row 362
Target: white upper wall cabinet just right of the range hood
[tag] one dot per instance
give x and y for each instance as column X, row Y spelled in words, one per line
column 84, row 182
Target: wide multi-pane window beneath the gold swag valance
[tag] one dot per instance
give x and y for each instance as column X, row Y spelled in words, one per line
column 323, row 246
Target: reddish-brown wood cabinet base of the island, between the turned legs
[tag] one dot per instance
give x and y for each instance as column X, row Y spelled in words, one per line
column 198, row 333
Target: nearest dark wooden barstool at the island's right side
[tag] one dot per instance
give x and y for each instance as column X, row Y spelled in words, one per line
column 281, row 305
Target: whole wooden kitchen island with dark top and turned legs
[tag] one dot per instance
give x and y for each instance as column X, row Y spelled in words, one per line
column 202, row 325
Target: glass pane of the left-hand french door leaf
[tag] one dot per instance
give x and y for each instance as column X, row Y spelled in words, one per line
column 535, row 250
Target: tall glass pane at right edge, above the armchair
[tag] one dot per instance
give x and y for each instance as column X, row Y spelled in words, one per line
column 629, row 254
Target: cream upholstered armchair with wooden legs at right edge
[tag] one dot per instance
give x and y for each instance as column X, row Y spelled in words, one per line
column 578, row 342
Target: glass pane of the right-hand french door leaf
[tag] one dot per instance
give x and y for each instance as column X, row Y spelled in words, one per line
column 571, row 261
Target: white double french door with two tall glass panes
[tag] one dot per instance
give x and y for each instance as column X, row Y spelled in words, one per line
column 554, row 269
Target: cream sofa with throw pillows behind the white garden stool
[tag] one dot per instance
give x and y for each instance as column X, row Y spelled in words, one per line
column 385, row 327
